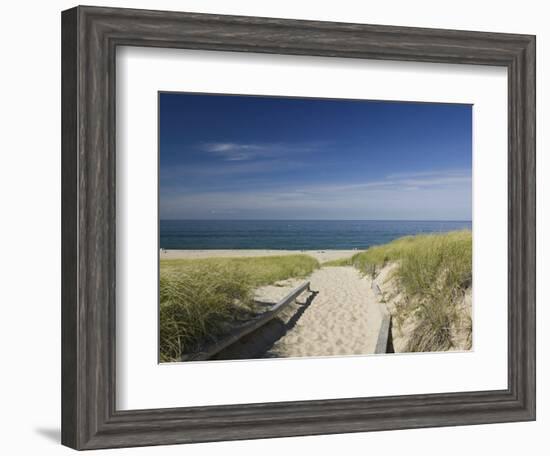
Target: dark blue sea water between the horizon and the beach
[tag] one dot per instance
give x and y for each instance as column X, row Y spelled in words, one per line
column 292, row 234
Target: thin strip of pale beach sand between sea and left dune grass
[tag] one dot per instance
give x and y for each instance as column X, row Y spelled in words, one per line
column 320, row 255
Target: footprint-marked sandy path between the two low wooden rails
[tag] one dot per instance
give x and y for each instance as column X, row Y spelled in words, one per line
column 343, row 318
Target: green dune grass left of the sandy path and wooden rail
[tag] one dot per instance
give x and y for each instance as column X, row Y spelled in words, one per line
column 201, row 298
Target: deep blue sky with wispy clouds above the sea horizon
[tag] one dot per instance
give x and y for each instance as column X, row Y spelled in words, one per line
column 240, row 157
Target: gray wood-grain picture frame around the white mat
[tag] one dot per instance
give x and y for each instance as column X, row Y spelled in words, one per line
column 89, row 38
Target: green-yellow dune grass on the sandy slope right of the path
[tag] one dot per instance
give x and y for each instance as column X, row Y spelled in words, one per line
column 434, row 271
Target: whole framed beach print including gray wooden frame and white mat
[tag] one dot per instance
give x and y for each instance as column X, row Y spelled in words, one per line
column 269, row 224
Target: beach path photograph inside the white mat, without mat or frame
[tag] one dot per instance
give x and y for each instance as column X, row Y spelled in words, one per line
column 312, row 227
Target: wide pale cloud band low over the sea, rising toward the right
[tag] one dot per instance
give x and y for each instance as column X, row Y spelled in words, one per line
column 435, row 195
